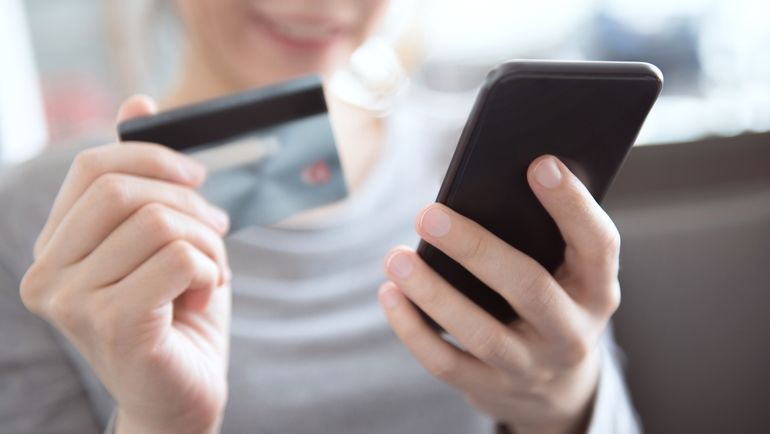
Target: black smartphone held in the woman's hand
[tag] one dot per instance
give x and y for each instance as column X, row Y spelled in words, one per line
column 588, row 114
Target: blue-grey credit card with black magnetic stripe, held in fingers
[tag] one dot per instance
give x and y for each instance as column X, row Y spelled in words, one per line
column 270, row 152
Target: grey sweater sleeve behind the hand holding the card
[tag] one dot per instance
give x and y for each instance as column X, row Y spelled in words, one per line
column 41, row 390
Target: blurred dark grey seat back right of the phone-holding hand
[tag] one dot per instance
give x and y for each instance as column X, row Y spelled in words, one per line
column 694, row 322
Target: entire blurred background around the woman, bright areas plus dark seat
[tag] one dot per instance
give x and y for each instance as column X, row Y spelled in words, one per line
column 694, row 211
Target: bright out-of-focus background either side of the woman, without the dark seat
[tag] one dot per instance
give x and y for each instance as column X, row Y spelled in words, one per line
column 714, row 54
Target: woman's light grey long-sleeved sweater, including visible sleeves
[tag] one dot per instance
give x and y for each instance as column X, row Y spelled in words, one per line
column 311, row 351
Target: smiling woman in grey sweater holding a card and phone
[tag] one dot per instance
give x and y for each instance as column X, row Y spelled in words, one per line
column 131, row 270
